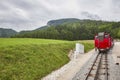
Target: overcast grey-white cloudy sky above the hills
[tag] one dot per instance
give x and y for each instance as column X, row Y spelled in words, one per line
column 31, row 14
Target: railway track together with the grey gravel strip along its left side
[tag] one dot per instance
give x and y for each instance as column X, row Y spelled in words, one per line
column 98, row 70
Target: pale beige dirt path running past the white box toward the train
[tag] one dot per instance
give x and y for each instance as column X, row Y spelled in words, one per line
column 79, row 62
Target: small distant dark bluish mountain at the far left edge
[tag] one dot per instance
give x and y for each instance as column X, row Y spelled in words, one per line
column 7, row 32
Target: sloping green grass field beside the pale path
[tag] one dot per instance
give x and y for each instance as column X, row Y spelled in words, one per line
column 31, row 59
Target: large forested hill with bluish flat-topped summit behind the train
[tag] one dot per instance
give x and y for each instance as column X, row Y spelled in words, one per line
column 73, row 29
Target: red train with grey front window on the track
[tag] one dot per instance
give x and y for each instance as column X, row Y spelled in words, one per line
column 103, row 41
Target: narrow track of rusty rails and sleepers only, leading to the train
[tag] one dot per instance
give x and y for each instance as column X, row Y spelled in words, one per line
column 99, row 69
